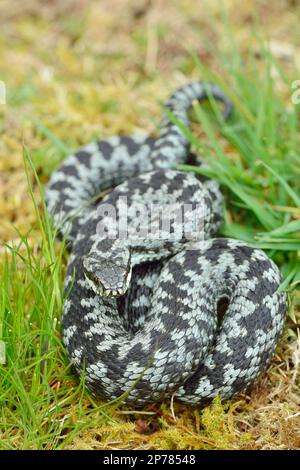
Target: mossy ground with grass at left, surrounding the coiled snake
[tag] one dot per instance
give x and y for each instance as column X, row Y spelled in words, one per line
column 79, row 70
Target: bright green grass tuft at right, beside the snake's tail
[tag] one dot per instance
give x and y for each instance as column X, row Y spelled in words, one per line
column 257, row 164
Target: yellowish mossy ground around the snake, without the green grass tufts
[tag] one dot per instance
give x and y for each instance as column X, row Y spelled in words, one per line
column 80, row 70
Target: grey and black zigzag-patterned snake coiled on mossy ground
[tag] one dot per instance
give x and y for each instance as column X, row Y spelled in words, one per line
column 155, row 317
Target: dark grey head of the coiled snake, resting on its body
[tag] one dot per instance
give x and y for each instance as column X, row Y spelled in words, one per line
column 108, row 275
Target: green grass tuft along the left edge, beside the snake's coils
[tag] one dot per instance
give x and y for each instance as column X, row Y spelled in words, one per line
column 37, row 389
